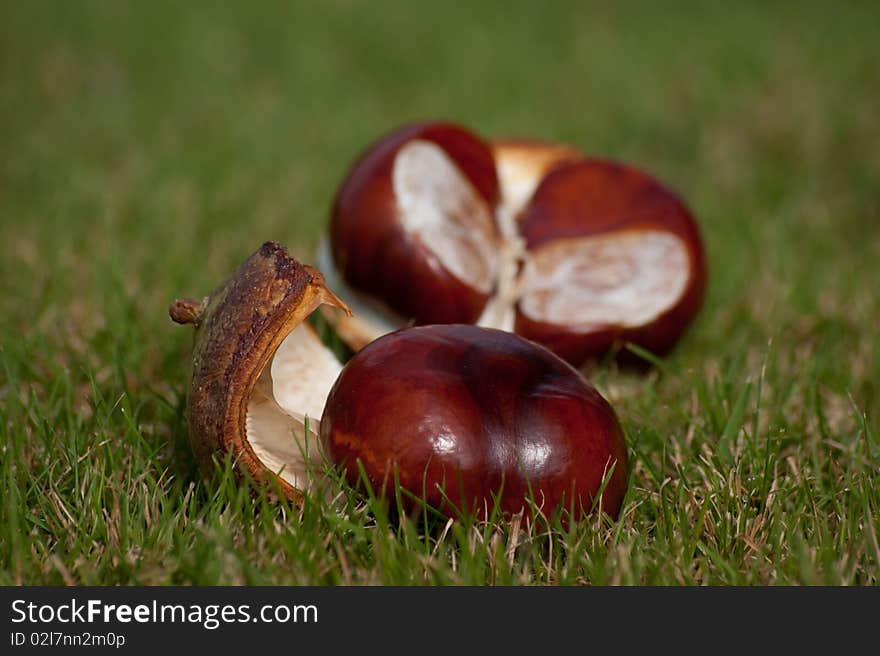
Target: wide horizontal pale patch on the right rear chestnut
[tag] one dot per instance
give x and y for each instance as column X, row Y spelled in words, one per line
column 622, row 279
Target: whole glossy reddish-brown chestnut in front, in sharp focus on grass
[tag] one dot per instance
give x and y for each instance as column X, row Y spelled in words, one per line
column 461, row 413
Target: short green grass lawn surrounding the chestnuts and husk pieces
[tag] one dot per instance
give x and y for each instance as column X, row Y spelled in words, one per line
column 148, row 148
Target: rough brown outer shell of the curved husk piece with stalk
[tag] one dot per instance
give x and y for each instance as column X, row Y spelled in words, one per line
column 238, row 328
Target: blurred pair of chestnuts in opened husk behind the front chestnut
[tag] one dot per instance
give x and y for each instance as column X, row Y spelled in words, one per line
column 434, row 225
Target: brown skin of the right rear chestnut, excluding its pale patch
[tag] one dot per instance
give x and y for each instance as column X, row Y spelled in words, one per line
column 593, row 197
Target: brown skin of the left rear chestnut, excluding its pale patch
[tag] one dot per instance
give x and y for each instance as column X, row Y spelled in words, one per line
column 375, row 255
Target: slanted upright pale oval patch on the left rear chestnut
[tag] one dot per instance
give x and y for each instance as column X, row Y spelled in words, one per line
column 441, row 207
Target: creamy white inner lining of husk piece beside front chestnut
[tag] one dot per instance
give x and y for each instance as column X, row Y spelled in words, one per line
column 291, row 392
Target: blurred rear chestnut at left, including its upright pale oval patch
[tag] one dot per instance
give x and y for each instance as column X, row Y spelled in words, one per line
column 413, row 223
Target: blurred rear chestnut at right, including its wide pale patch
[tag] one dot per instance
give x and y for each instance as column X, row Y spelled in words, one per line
column 613, row 256
